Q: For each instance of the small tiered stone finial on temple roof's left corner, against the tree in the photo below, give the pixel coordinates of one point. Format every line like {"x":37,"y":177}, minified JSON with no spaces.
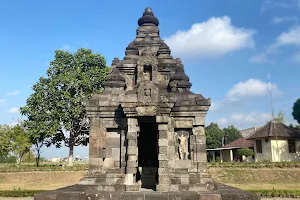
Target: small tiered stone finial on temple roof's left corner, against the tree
{"x":114,"y":79}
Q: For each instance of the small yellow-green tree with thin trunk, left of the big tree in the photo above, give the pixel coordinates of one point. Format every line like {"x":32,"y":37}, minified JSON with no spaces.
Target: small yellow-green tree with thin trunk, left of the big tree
{"x":19,"y":142}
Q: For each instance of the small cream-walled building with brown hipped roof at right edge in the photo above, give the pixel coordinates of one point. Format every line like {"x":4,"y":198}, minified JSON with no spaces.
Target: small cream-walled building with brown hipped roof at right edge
{"x":276,"y":142}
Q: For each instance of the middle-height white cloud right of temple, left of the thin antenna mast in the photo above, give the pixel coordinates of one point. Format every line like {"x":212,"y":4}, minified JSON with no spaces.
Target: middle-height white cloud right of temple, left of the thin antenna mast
{"x":251,"y":87}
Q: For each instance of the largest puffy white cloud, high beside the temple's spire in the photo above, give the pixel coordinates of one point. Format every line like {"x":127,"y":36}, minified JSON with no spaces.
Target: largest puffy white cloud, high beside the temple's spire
{"x":214,"y":37}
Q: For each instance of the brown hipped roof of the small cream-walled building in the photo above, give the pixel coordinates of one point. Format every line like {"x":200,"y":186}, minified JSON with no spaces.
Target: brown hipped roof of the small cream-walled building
{"x":273,"y":129}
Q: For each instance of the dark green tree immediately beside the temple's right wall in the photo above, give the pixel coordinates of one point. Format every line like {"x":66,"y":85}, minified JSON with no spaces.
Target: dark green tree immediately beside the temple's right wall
{"x":214,"y":136}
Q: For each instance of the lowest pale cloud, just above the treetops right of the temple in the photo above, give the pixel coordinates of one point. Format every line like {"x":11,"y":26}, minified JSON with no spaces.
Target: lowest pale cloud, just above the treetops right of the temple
{"x":245,"y":119}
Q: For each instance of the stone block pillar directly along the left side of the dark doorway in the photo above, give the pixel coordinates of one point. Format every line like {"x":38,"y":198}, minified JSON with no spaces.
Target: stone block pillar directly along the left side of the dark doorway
{"x":132,"y":155}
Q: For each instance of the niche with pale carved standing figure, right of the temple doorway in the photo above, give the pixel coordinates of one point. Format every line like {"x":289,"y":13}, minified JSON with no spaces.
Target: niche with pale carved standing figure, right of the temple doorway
{"x":183,"y":144}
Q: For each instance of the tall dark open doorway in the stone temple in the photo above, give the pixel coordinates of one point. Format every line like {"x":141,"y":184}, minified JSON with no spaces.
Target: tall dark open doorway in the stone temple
{"x":148,"y":153}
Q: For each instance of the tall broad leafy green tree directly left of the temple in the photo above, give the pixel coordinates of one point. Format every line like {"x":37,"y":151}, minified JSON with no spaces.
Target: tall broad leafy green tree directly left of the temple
{"x":71,"y":78}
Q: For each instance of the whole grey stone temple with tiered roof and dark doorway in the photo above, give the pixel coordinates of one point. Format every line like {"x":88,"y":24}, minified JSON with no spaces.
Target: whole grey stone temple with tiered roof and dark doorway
{"x":147,"y":137}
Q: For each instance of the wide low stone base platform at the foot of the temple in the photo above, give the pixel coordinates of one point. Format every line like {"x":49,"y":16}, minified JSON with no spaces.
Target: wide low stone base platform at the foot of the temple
{"x":75,"y":192}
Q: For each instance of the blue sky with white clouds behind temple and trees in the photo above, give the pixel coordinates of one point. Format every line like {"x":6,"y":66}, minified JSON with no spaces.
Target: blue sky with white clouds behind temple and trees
{"x":228,"y":47}
